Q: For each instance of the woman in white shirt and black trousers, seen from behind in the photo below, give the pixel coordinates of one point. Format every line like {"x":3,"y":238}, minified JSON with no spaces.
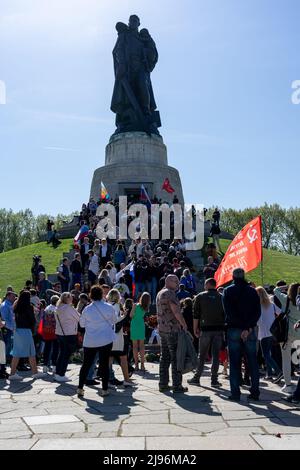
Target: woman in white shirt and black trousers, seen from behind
{"x":98,"y":319}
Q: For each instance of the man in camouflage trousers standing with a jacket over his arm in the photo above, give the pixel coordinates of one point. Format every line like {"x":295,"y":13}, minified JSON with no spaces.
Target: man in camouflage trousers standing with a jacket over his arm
{"x":170,"y":323}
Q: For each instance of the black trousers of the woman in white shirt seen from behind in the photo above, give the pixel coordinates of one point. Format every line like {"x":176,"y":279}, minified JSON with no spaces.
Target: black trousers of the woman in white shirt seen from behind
{"x":88,"y":359}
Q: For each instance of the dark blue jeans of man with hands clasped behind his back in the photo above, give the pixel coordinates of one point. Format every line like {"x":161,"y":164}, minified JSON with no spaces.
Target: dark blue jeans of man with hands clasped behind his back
{"x":236,"y":346}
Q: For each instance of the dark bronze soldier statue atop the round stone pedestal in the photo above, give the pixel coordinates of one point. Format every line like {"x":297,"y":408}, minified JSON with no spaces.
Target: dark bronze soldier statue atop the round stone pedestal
{"x":135,"y":56}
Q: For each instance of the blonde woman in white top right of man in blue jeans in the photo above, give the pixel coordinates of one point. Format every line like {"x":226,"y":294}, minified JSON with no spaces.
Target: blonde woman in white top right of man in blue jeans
{"x":269,"y":311}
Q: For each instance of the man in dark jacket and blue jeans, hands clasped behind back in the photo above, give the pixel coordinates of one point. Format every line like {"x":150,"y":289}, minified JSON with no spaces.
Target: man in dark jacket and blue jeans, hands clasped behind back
{"x":242,"y":312}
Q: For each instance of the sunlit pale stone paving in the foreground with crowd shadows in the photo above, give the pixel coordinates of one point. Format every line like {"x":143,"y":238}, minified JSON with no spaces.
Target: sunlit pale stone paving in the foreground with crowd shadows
{"x":45,"y":415}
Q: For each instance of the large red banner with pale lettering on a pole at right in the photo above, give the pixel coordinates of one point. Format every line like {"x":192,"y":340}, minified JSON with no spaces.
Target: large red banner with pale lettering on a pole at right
{"x":245,"y":252}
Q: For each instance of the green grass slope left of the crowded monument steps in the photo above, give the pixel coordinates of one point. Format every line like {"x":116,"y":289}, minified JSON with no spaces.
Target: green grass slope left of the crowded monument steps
{"x":15,"y":265}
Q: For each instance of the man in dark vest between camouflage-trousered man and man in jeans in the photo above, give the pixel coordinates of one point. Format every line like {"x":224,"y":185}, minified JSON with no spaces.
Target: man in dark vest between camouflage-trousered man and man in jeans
{"x":209,"y":325}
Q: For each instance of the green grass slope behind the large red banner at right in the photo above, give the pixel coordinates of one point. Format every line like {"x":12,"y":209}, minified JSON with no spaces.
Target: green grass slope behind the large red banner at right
{"x":276,"y":266}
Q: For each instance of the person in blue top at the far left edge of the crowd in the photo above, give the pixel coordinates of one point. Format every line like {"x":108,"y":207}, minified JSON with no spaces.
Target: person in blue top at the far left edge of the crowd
{"x":7,"y":316}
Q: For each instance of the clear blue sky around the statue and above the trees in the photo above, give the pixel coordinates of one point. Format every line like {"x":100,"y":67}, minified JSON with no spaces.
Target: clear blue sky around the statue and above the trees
{"x":222,"y":85}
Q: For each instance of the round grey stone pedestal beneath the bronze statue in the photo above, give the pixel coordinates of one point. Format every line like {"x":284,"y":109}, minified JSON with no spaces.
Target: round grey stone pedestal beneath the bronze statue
{"x":133,"y":159}
